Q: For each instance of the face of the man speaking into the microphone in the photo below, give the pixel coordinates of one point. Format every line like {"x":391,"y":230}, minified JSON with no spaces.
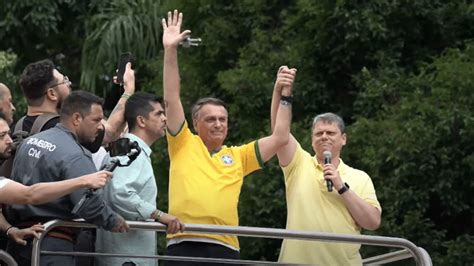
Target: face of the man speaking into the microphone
{"x":327,"y":137}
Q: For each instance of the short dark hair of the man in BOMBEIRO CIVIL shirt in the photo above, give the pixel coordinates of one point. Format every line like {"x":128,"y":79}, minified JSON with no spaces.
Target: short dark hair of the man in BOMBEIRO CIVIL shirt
{"x":79,"y":101}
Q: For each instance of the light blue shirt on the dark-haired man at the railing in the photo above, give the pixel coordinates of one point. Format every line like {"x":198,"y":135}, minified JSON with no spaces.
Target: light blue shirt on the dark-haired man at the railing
{"x":131,"y":193}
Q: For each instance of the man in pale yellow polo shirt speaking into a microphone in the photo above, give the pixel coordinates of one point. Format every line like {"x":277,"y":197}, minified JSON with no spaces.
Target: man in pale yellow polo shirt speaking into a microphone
{"x":311,"y":206}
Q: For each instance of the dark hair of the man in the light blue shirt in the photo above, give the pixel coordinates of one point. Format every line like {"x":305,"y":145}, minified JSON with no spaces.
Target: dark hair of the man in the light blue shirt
{"x":140,"y":104}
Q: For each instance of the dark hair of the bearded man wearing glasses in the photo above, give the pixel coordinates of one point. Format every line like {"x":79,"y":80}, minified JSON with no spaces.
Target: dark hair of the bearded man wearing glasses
{"x":35,"y":80}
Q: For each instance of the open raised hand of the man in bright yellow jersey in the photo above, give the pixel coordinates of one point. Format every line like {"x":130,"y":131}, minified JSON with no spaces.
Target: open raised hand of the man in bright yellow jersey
{"x":172,"y":34}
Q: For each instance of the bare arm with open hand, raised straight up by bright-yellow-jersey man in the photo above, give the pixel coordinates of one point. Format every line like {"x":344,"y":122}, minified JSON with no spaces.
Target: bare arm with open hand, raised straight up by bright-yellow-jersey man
{"x":171,"y":81}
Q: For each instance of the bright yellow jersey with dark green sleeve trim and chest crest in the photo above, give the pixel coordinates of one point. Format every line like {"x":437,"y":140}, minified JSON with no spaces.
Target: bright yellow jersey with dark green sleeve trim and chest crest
{"x":204,"y":188}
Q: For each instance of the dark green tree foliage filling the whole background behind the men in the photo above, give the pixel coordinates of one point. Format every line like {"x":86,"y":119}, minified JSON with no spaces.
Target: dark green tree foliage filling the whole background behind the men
{"x":399,"y":72}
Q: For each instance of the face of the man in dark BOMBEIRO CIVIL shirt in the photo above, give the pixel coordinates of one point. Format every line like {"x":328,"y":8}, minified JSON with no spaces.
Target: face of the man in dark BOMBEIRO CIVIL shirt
{"x":90,"y":125}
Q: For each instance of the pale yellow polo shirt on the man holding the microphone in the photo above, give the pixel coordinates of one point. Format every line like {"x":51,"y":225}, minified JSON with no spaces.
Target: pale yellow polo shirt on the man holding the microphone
{"x":311,"y":207}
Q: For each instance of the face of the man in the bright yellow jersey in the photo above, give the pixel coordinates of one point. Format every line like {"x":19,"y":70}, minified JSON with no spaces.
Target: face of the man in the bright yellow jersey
{"x":211,"y":124}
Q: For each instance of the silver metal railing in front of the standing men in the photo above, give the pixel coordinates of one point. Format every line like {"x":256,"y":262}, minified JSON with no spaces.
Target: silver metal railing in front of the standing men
{"x":410,"y":250}
